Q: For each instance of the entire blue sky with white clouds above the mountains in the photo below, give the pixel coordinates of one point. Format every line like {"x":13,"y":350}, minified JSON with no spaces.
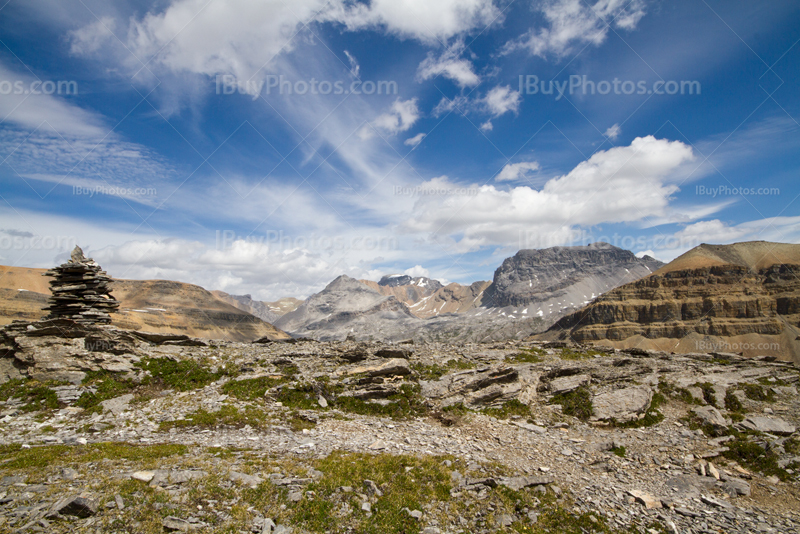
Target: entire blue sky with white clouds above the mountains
{"x":268,"y":147}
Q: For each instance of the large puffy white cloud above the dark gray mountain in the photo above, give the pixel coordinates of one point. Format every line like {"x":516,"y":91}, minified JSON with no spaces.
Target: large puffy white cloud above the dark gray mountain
{"x":620,"y":185}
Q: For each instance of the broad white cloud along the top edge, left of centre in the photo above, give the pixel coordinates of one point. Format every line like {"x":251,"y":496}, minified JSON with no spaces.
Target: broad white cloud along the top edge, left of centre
{"x":241,"y":37}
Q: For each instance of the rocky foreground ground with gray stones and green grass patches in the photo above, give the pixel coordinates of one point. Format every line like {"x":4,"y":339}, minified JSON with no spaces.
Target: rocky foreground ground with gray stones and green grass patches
{"x":111,"y":431}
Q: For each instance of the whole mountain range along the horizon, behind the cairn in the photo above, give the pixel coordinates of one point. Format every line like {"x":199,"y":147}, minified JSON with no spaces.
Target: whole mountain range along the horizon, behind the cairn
{"x":742,"y":298}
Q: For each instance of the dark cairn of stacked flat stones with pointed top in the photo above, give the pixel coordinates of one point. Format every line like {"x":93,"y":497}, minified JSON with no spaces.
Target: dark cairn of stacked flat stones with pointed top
{"x":80,"y":291}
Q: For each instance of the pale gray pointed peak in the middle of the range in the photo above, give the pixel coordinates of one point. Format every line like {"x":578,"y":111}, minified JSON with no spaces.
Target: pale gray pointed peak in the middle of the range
{"x":346,"y":305}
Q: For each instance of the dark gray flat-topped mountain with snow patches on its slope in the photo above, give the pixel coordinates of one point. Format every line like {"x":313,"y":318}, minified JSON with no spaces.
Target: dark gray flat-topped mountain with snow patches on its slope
{"x":566,"y":273}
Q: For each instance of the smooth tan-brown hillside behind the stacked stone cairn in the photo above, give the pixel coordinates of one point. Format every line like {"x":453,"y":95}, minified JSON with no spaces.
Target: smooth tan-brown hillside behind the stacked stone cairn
{"x":154,"y":305}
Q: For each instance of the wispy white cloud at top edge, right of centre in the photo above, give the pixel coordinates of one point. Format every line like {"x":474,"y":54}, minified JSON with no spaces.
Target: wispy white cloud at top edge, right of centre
{"x":574,"y":23}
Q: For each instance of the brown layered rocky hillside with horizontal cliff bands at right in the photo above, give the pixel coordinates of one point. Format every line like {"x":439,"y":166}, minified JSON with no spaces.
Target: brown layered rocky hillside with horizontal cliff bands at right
{"x":742,"y":298}
